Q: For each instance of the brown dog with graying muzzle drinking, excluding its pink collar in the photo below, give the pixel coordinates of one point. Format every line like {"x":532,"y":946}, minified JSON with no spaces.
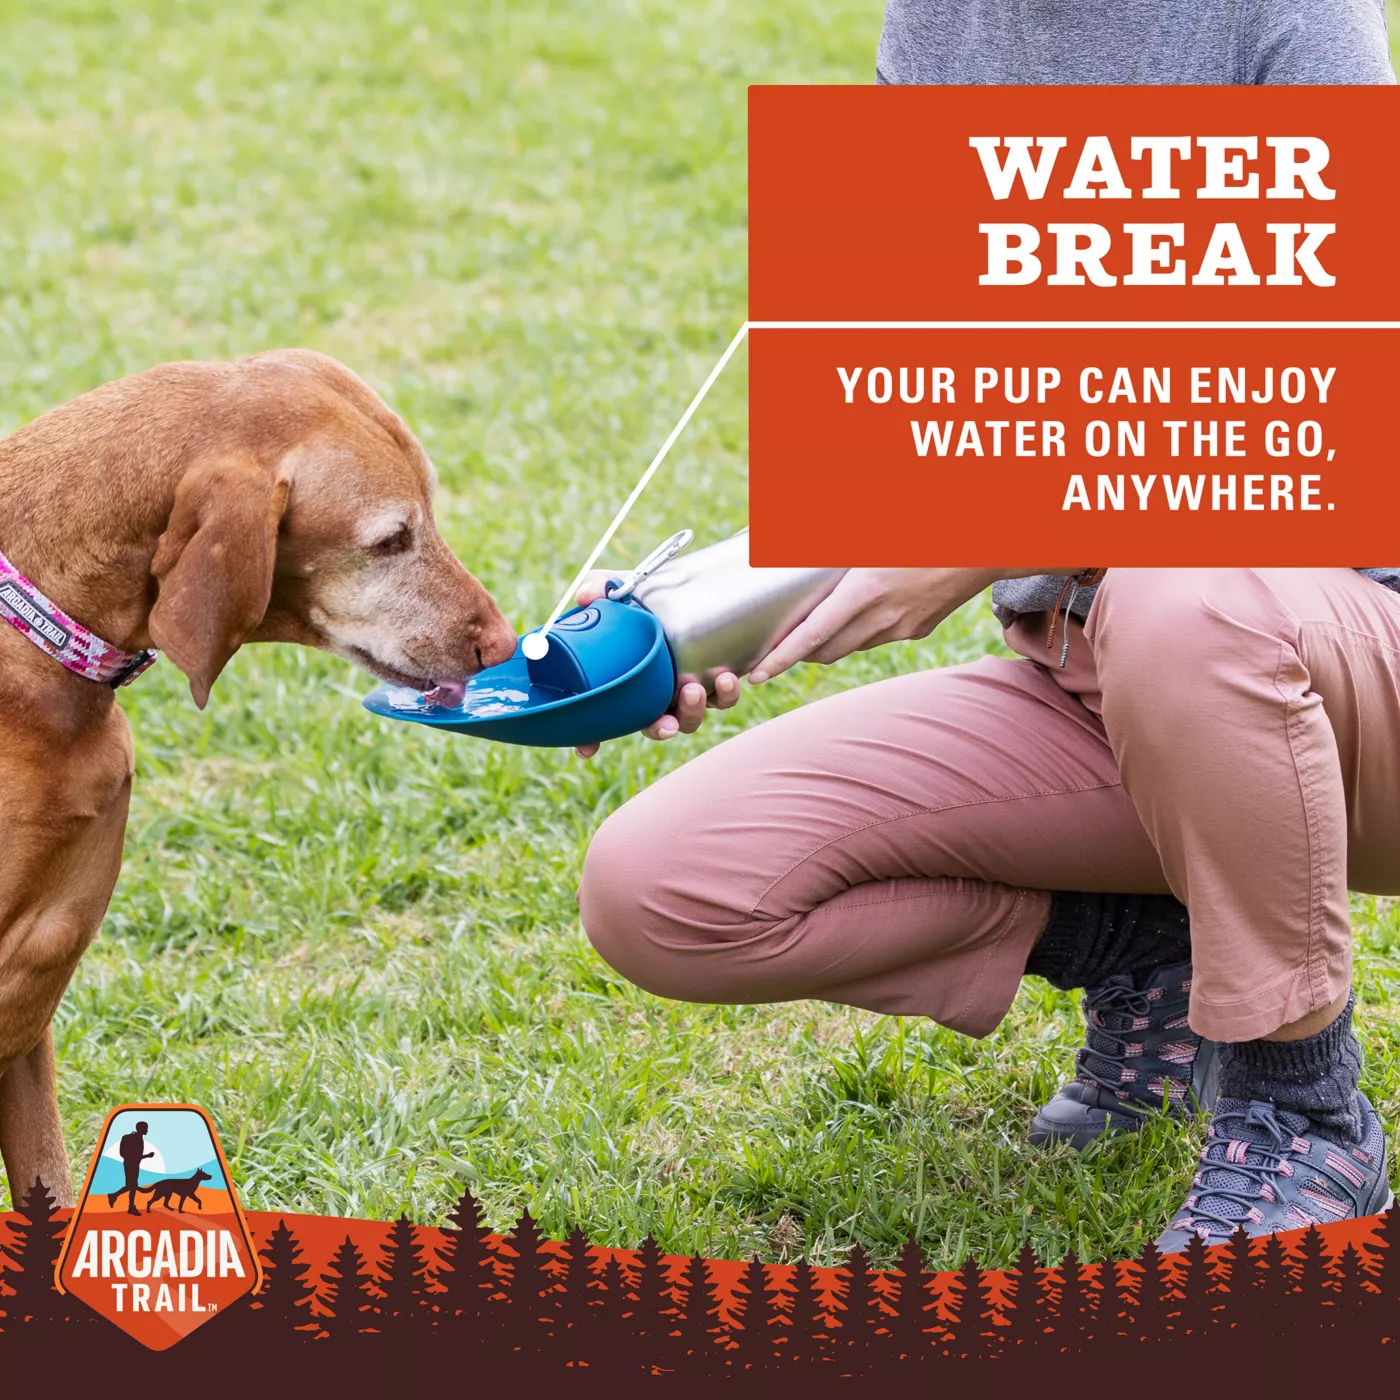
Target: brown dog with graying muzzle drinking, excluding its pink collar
{"x":190,"y":509}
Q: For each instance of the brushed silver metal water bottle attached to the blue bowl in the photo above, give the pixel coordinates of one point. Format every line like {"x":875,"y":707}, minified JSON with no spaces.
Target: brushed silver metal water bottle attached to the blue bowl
{"x":722,"y":614}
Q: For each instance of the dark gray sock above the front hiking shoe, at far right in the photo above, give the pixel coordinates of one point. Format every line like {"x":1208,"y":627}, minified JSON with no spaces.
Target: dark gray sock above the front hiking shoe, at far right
{"x":1317,"y":1077}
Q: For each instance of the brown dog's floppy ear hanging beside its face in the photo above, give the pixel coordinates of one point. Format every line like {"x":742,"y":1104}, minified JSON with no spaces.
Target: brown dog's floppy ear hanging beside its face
{"x":213,"y":565}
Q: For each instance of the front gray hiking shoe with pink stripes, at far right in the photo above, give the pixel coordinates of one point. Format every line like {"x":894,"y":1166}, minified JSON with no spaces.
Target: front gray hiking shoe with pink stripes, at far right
{"x":1266,"y":1170}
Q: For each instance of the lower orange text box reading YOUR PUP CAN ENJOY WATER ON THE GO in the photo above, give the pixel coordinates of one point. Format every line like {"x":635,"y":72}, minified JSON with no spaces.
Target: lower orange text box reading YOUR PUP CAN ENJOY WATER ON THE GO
{"x":1186,"y":447}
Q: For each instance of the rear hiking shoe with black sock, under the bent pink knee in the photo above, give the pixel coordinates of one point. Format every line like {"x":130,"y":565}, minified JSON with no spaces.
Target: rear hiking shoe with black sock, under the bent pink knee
{"x":1139,"y":1058}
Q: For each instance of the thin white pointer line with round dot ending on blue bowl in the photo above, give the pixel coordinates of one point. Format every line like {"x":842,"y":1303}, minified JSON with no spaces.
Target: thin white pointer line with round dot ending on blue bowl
{"x":541,"y":642}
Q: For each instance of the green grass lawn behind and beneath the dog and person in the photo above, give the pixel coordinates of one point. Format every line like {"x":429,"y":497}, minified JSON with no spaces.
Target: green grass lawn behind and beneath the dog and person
{"x":356,"y":943}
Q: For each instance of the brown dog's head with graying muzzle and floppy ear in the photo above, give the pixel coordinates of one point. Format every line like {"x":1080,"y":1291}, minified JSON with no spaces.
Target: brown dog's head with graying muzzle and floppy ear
{"x":306,"y":516}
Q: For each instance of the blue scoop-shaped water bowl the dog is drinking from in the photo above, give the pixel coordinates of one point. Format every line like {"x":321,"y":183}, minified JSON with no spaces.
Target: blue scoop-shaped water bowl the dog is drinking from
{"x":608,"y":673}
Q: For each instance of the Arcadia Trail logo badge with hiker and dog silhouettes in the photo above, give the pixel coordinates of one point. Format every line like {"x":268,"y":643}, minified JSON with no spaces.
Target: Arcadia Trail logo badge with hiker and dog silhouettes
{"x":159,"y":1244}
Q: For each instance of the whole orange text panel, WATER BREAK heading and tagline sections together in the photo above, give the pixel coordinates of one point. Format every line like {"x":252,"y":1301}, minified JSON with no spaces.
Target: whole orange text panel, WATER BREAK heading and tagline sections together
{"x":1006,"y":211}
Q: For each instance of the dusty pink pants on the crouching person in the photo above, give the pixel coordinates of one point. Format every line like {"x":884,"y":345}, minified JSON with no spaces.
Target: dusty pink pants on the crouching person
{"x":1233,"y":737}
